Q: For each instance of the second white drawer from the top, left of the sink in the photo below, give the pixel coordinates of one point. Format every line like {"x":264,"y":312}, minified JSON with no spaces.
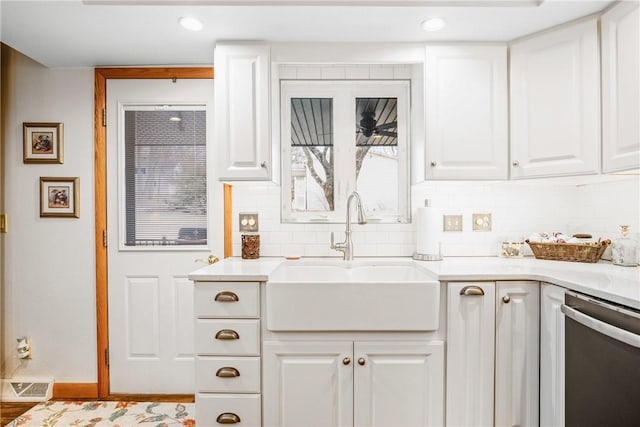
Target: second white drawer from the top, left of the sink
{"x":227,"y":337}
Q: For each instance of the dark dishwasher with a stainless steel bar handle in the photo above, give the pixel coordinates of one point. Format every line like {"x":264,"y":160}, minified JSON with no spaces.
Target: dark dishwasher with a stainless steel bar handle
{"x":602,"y":363}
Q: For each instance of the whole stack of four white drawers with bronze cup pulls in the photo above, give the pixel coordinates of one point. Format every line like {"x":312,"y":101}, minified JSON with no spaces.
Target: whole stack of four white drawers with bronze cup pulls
{"x":227,"y":344}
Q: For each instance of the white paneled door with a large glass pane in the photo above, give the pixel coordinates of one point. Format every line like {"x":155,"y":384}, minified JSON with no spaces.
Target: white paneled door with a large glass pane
{"x":159,"y":224}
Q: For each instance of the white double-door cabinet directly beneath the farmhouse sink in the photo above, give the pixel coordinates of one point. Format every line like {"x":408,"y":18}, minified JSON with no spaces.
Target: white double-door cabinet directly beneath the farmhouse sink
{"x":342,"y":383}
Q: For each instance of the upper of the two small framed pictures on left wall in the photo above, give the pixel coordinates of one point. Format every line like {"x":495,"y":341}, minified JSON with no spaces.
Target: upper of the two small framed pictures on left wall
{"x":42,"y":142}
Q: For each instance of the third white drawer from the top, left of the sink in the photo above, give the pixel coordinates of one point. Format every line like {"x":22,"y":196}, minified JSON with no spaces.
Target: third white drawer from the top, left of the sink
{"x":228,"y":374}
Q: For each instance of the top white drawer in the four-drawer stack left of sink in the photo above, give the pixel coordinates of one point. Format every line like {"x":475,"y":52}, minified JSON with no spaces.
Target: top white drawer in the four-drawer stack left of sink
{"x":227,"y":299}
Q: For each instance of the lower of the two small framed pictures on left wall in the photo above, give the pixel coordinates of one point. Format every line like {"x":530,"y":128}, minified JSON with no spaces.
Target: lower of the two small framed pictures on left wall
{"x":59,"y":197}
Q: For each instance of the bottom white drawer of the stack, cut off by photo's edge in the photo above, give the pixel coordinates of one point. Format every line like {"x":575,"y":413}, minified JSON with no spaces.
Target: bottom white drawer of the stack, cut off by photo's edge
{"x":244,"y":408}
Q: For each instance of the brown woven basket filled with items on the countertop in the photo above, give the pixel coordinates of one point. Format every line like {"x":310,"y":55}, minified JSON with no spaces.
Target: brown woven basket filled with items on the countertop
{"x":556,"y":247}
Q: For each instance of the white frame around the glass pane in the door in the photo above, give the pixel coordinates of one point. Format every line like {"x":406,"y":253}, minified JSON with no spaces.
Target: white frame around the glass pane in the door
{"x":121,"y":176}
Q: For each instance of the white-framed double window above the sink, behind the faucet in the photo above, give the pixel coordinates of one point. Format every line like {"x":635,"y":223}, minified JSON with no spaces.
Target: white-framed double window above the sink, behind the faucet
{"x":343,"y":136}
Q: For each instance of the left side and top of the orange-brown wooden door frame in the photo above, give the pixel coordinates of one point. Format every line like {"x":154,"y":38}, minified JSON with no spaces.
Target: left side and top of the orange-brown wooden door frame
{"x":101,"y":76}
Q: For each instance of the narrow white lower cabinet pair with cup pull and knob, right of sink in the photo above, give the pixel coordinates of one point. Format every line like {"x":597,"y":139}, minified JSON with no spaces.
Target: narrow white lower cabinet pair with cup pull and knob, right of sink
{"x":492,"y":354}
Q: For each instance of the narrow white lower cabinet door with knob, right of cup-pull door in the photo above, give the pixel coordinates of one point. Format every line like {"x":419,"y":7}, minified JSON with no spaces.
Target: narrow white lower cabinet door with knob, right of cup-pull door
{"x":517,"y":347}
